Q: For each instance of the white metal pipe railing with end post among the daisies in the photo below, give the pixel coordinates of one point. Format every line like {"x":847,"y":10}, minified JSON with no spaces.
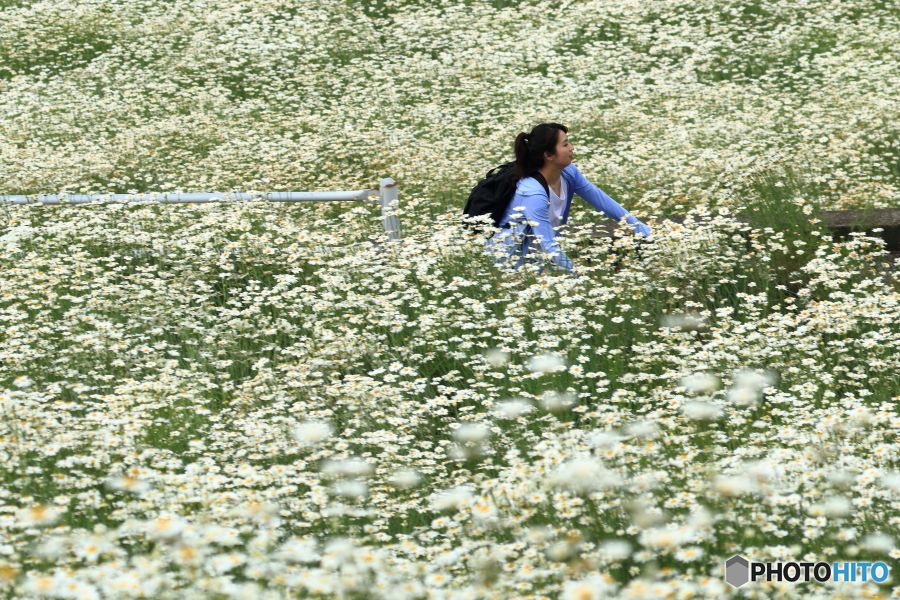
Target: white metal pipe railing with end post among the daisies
{"x":385,"y":195}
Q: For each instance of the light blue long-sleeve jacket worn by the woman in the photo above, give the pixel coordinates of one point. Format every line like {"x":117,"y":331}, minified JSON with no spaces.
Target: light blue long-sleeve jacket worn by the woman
{"x":528,"y":215}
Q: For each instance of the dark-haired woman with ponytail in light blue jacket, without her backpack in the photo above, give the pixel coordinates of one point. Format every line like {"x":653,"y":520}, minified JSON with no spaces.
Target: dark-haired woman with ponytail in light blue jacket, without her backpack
{"x":530,"y":222}
